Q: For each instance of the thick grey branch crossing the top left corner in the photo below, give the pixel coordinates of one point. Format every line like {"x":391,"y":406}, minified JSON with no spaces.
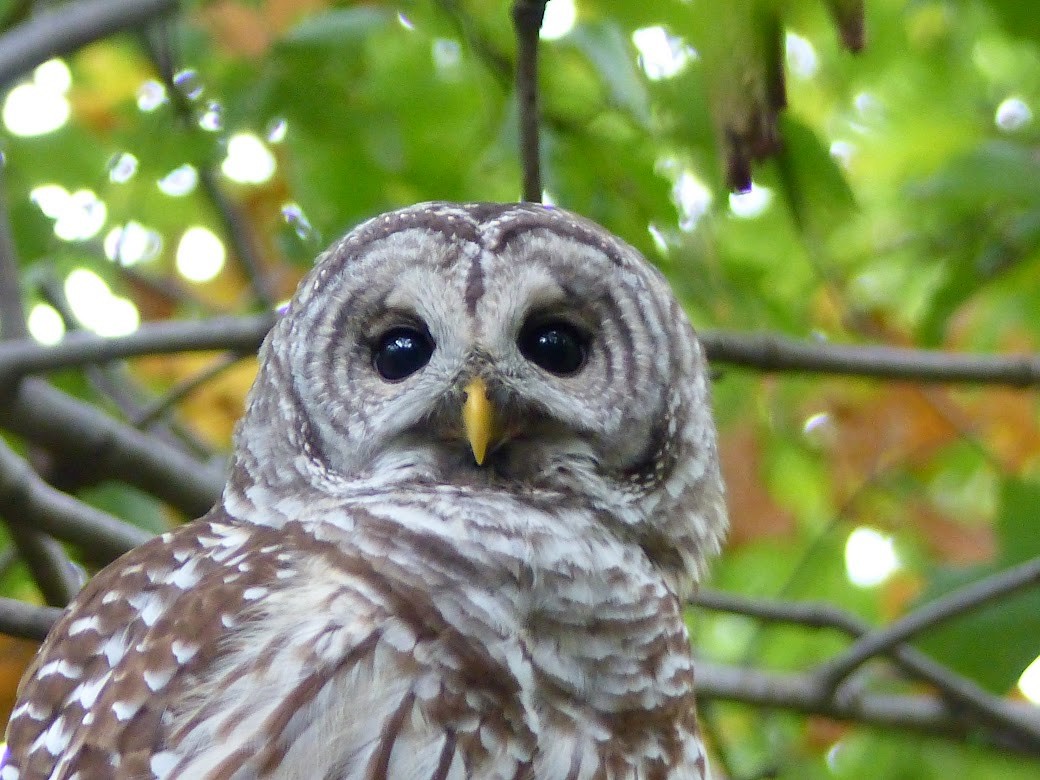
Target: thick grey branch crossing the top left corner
{"x":70,"y":27}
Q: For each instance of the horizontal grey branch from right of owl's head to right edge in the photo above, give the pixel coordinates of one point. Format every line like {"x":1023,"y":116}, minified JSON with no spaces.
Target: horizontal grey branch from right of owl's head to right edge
{"x":778,"y":354}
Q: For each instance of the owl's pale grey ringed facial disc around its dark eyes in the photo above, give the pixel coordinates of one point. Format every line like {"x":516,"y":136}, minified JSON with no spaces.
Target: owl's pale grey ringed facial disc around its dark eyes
{"x":422,"y":320}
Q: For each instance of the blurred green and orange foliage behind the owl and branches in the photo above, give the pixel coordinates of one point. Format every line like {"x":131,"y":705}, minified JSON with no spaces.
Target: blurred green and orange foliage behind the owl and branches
{"x":904,"y":207}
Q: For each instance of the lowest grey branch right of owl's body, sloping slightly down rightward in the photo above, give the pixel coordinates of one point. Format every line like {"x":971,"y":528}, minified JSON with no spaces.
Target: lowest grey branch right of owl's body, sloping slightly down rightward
{"x":802,"y":693}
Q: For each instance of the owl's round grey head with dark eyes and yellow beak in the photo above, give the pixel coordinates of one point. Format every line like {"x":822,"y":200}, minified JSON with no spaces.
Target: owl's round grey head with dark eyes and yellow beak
{"x":489,"y":348}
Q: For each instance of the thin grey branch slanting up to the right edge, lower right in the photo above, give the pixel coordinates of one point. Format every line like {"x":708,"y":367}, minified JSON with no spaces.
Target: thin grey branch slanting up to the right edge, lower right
{"x":960,"y":602}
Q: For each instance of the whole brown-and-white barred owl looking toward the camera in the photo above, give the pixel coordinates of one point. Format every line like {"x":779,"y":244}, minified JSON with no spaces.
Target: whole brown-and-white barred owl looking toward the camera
{"x":476,"y":481}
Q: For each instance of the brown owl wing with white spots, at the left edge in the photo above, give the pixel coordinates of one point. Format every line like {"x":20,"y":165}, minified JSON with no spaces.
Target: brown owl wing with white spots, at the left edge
{"x":96,"y":698}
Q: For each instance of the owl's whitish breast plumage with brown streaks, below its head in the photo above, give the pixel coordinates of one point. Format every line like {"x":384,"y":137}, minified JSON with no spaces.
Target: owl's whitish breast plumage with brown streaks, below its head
{"x":555,"y":663}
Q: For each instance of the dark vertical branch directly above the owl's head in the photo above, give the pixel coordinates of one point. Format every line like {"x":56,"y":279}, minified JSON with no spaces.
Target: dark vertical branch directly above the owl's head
{"x":528,"y":17}
